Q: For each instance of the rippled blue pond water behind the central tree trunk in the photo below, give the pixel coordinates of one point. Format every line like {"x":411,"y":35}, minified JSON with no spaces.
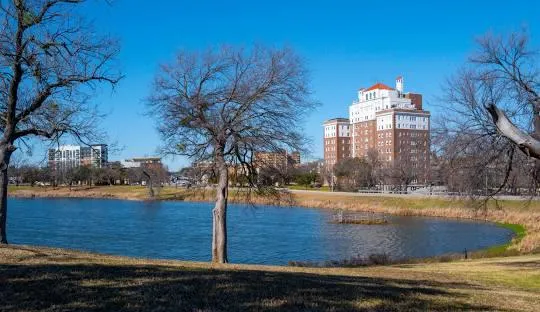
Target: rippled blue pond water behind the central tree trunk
{"x":264,"y":235}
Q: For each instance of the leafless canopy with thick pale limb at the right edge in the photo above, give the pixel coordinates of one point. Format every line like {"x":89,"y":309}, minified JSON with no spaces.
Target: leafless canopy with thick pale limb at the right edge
{"x":491,"y":108}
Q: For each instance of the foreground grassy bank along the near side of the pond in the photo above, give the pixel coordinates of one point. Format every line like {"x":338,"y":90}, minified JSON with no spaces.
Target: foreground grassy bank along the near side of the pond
{"x":43,"y":279}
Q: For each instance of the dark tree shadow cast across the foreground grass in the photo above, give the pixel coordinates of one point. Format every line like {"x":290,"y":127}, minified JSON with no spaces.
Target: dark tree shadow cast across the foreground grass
{"x":81,"y":287}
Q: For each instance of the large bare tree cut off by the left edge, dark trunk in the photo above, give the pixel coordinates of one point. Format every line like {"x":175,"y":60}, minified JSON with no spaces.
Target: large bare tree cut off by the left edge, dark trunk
{"x":50,"y":61}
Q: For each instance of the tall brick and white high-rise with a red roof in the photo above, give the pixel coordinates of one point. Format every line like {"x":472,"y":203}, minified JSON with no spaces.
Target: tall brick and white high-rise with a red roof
{"x":391,"y":122}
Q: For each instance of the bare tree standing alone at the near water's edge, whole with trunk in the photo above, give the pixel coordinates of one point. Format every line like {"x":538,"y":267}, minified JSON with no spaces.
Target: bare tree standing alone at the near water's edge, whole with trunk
{"x":223,"y":106}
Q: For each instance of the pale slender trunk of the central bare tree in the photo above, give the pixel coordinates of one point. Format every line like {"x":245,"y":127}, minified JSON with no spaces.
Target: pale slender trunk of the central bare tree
{"x":219,"y":226}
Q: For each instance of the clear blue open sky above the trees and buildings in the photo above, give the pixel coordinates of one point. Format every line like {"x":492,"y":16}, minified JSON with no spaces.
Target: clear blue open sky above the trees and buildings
{"x":346,"y":45}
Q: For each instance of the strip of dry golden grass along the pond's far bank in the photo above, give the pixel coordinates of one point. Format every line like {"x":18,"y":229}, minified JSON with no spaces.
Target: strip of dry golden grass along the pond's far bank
{"x":519,"y":213}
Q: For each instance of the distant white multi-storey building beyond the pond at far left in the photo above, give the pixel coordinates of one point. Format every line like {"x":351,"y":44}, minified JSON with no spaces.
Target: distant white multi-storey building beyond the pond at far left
{"x":72,"y":156}
